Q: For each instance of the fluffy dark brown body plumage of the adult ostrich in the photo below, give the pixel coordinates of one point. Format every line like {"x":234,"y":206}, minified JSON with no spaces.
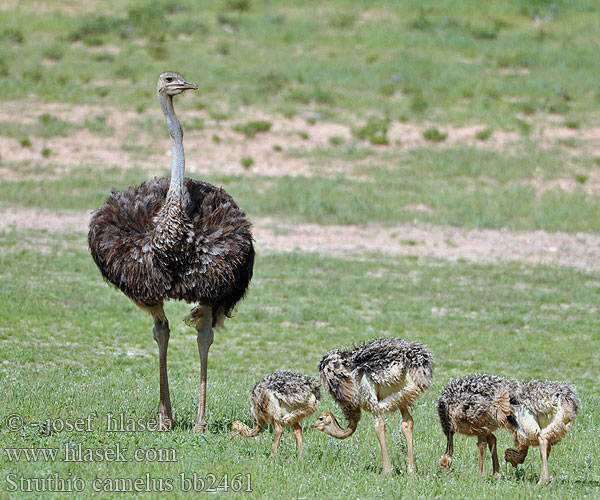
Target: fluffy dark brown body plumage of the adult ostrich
{"x":199,"y":250}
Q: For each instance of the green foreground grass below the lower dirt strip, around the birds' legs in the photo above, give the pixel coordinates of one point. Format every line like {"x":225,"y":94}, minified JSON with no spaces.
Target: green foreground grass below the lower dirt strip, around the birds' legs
{"x":82,"y":347}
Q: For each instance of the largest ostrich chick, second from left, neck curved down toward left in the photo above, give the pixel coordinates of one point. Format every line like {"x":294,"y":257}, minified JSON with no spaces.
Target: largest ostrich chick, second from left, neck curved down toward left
{"x":379,"y":376}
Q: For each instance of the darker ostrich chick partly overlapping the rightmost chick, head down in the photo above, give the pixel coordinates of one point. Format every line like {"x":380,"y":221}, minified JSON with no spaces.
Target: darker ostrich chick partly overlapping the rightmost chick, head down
{"x":476,"y":406}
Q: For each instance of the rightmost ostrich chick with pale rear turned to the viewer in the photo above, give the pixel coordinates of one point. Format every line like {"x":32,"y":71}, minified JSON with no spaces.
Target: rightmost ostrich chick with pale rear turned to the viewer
{"x":545,"y":414}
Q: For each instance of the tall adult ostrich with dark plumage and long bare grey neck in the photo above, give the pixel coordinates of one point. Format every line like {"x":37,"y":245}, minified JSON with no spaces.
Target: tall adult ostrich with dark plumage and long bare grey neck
{"x":175,"y":238}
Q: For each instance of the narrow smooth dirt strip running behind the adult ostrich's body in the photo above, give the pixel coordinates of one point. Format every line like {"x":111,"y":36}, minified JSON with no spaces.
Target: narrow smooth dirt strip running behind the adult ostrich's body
{"x":581,"y":250}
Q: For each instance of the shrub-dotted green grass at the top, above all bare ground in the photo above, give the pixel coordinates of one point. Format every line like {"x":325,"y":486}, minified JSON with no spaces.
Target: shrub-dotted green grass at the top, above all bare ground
{"x":404,"y":59}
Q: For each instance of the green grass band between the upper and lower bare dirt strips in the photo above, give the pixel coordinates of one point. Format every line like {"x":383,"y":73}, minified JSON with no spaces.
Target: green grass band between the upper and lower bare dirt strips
{"x":462,"y":186}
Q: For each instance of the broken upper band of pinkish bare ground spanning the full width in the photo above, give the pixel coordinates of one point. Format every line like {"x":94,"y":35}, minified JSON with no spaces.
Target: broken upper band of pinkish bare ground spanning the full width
{"x":130,"y":143}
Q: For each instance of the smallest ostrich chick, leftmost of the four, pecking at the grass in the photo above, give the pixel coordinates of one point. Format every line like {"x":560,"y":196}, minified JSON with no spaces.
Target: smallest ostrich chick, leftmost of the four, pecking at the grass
{"x":281,"y":398}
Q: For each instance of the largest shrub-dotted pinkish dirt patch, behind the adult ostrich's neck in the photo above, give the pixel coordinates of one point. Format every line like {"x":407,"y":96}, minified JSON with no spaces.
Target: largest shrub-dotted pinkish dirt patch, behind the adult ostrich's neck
{"x":151,"y":151}
